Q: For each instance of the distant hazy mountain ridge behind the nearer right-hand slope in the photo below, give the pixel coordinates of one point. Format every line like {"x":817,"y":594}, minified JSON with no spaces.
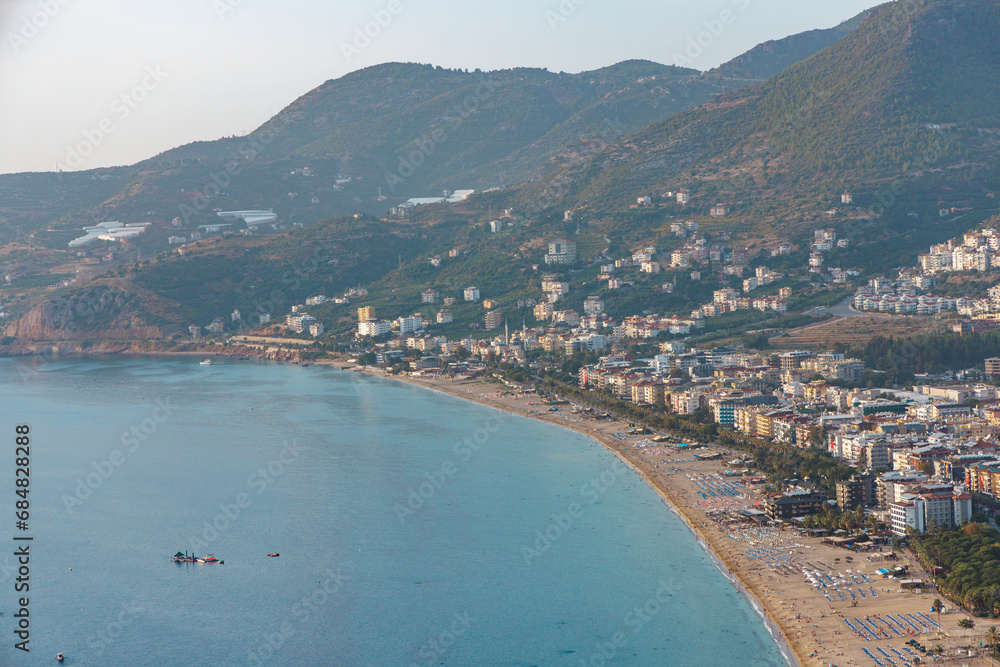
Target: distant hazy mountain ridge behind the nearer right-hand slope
{"x":467,"y":129}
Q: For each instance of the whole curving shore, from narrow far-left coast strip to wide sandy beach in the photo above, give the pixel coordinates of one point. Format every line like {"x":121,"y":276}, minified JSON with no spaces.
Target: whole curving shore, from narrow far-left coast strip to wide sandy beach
{"x":808,"y":631}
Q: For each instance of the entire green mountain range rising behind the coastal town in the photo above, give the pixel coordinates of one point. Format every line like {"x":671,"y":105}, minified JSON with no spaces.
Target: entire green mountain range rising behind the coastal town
{"x":899,"y":106}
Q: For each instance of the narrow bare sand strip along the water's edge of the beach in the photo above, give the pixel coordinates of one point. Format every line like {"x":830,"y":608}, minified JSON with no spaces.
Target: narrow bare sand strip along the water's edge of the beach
{"x":773,"y":627}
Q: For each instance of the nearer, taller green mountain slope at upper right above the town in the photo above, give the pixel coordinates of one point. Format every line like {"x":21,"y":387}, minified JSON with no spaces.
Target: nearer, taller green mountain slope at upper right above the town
{"x":908,"y":101}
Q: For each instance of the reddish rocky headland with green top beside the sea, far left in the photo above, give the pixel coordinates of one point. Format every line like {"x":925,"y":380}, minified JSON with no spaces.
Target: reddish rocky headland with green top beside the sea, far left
{"x":100,"y":312}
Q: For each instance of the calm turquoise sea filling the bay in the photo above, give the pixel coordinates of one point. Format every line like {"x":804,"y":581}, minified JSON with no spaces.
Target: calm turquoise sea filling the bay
{"x":413,"y":528}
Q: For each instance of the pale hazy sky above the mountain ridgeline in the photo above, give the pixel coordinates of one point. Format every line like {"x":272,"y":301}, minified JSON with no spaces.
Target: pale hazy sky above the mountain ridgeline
{"x":127,"y":79}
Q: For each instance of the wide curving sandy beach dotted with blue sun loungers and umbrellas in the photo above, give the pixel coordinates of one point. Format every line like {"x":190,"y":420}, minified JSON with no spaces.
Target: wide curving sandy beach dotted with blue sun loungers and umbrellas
{"x":825,"y":604}
